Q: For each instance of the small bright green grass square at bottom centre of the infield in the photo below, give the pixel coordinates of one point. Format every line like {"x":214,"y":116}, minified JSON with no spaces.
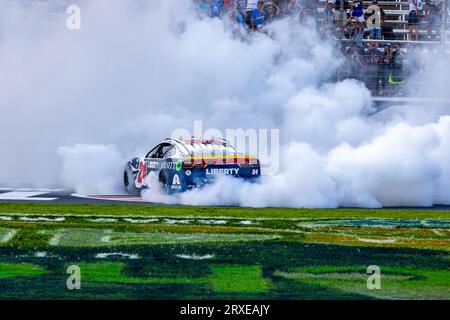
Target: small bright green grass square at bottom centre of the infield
{"x":238,"y":279}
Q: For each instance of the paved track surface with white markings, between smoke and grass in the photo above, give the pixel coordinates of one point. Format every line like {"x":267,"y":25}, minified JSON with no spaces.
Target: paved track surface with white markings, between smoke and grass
{"x":63,"y":196}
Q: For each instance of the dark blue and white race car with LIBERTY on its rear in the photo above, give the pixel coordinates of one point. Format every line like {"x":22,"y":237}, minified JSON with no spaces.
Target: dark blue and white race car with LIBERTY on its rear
{"x":180,"y":165}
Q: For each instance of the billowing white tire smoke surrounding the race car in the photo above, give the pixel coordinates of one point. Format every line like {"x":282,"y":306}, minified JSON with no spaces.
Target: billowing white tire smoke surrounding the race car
{"x":76,"y":104}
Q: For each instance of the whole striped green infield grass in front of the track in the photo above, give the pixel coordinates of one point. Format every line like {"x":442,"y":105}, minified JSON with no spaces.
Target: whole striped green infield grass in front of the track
{"x":278,"y":254}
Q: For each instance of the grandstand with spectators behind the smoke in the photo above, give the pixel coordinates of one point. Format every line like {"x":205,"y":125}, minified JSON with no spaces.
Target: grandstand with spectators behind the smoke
{"x":384,"y":65}
